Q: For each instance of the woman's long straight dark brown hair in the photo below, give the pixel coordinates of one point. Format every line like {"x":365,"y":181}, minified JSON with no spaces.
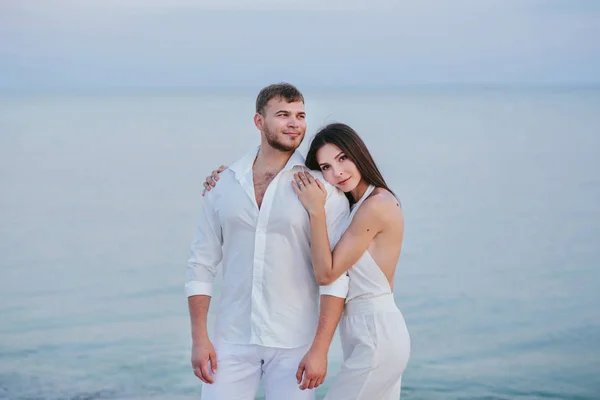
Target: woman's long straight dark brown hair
{"x":355,"y":149}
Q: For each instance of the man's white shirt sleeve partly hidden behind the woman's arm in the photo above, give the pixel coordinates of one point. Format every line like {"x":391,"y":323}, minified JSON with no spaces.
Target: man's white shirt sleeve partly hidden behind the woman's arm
{"x":337,"y":211}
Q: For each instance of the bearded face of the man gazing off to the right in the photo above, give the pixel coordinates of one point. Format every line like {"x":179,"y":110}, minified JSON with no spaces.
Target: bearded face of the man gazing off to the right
{"x":283,"y":124}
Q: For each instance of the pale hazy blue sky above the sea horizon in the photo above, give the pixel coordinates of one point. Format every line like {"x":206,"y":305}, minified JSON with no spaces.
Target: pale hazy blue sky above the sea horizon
{"x":235,"y":43}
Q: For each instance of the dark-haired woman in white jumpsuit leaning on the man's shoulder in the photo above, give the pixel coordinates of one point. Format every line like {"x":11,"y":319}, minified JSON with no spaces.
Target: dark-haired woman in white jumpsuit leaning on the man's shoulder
{"x":375,"y":340}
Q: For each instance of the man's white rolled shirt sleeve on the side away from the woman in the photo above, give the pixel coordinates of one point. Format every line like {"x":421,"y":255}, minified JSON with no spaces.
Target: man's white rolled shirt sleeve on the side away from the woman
{"x":206,"y":251}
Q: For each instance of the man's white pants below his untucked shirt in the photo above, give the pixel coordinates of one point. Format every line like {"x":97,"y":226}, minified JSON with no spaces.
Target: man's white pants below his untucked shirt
{"x":241,"y":367}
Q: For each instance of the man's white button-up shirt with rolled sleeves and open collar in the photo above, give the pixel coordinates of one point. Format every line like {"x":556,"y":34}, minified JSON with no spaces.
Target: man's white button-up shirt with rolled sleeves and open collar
{"x":269,"y":295}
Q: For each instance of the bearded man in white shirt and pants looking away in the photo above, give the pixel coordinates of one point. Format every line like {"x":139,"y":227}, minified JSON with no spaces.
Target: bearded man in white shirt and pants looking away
{"x":254,"y":225}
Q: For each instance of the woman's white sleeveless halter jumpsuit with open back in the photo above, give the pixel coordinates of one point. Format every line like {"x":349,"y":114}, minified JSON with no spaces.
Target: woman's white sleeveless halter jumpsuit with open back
{"x":375,"y":340}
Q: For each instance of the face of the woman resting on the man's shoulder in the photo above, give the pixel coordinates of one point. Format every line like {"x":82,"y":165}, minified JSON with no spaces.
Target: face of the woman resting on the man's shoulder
{"x":337,"y":168}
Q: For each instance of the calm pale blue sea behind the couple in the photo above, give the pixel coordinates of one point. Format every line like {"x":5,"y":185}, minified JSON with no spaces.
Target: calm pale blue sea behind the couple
{"x":499,"y":277}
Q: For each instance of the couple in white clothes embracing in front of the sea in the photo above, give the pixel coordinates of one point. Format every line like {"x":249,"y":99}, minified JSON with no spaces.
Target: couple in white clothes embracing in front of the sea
{"x":298,"y":253}
